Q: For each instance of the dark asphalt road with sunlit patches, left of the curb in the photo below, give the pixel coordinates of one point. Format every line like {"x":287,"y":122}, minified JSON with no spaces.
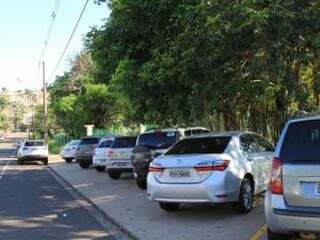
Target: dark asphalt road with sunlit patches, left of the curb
{"x":34,"y":206}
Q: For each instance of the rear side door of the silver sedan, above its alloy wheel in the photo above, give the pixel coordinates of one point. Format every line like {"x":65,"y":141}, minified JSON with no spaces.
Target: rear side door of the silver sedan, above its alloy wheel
{"x":250,"y":151}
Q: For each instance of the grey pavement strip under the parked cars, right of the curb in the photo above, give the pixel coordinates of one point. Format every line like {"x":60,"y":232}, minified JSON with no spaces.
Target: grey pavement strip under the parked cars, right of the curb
{"x":129,"y":207}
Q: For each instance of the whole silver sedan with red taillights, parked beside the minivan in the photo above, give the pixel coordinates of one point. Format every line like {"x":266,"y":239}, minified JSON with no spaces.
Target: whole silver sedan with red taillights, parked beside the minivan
{"x":214,"y":168}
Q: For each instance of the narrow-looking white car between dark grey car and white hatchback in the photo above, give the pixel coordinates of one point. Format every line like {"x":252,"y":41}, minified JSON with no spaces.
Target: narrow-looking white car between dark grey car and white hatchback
{"x":101,"y":152}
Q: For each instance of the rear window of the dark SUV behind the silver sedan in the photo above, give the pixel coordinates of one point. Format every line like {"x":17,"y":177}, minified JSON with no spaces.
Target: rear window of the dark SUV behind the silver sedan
{"x":158,"y":140}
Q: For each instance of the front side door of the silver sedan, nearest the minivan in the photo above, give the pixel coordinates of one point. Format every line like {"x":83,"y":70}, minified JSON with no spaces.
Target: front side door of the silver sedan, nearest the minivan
{"x":265,"y":151}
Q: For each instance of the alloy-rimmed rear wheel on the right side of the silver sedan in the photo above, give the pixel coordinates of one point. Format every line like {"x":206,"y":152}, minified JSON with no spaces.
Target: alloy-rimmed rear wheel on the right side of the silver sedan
{"x":245,"y":203}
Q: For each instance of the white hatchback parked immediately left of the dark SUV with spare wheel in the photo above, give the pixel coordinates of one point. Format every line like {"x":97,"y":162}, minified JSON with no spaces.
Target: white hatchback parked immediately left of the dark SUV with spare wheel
{"x":119,"y":156}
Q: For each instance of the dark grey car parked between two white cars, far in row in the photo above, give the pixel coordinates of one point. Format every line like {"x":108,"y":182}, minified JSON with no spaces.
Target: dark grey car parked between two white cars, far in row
{"x":85,"y":151}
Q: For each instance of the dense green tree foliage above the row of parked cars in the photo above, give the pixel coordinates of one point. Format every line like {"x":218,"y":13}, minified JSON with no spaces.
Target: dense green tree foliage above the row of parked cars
{"x":191,"y":62}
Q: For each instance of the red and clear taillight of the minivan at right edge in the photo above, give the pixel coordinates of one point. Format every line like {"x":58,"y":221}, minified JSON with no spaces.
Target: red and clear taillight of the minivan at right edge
{"x":276,"y":183}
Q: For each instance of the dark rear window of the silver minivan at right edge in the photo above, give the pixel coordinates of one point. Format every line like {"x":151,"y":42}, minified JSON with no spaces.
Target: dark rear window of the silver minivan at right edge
{"x":302,"y":142}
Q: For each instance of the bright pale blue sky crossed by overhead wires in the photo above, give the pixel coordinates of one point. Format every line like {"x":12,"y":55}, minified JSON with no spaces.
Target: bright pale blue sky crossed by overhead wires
{"x":23,"y":27}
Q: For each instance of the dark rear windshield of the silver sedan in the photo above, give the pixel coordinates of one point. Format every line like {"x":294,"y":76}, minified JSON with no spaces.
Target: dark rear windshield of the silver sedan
{"x":206,"y":145}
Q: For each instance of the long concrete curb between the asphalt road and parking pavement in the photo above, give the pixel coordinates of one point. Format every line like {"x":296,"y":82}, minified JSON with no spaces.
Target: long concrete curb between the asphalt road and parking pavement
{"x":117,"y":224}
